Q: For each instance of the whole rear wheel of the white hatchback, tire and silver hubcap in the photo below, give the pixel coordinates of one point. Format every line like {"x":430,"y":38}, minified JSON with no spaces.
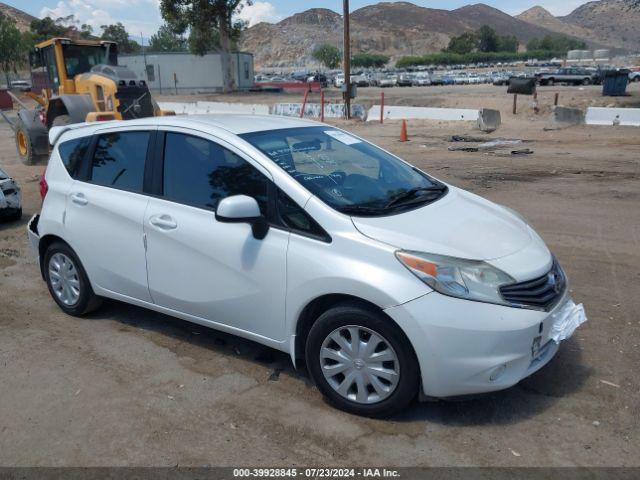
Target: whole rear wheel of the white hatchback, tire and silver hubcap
{"x":67,"y":281}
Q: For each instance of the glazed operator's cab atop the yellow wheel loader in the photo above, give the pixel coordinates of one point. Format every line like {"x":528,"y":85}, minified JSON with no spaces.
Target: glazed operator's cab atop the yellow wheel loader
{"x":56,"y":62}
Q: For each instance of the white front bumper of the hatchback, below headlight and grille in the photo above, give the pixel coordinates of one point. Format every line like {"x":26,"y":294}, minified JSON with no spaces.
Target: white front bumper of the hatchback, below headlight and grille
{"x":468,"y":347}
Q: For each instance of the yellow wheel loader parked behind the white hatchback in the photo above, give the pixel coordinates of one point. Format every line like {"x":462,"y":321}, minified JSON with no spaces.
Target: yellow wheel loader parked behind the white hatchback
{"x":76,"y":81}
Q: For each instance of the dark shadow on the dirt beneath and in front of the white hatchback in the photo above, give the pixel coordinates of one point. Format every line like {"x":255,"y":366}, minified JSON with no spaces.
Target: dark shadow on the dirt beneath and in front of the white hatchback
{"x":563,"y":376}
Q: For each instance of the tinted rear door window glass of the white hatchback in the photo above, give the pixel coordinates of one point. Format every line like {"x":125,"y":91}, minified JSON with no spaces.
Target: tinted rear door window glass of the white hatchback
{"x":119,"y":160}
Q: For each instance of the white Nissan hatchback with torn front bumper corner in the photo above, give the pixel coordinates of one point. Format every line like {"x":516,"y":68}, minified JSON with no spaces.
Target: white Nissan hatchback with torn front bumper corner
{"x":310,"y":240}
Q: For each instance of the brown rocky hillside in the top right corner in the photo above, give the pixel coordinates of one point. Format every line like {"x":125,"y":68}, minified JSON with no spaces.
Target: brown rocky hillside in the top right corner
{"x":614,"y":21}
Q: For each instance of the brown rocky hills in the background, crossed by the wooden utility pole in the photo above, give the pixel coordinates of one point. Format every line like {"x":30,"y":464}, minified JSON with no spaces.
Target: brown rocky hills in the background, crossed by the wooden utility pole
{"x":394,"y":29}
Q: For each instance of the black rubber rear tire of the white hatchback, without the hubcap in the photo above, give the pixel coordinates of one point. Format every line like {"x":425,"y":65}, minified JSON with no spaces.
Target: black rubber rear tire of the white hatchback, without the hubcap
{"x":87,"y":301}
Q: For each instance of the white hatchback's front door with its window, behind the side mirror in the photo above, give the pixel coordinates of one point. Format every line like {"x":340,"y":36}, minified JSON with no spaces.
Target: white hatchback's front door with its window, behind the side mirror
{"x":201,"y":267}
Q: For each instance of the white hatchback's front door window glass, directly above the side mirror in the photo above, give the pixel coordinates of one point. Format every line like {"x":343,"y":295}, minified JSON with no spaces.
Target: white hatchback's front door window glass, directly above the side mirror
{"x":200,"y":173}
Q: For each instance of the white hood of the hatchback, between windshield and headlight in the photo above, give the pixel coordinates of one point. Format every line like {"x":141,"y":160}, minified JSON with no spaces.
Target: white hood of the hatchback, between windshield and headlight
{"x":460,"y":225}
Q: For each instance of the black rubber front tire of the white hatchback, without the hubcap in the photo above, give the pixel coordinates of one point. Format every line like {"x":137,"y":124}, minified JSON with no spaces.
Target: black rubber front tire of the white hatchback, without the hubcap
{"x":348,"y":314}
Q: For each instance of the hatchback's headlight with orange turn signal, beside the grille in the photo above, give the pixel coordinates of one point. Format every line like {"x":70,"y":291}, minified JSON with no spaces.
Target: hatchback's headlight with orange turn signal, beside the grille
{"x":456,"y":277}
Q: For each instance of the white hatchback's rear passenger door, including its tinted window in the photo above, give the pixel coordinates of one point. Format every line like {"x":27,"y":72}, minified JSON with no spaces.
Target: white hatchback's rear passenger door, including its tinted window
{"x":105,"y":211}
